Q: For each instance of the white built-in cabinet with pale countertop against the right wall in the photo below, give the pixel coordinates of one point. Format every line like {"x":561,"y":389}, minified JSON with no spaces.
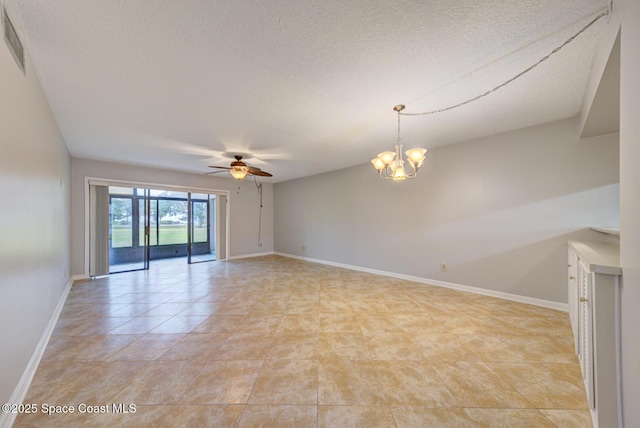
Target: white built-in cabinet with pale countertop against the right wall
{"x":593,"y":284}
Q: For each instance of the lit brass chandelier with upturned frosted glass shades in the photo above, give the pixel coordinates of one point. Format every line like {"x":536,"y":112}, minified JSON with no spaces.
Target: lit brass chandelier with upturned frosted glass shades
{"x":390,"y":165}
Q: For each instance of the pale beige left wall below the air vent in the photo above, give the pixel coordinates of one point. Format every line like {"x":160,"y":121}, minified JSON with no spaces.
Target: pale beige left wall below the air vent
{"x":34,"y":218}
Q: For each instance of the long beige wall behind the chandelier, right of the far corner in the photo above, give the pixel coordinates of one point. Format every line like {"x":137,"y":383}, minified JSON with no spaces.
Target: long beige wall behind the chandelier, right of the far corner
{"x":497,"y":210}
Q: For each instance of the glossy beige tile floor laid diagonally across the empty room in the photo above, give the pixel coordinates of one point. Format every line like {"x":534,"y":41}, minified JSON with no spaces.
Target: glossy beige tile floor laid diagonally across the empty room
{"x":273,"y":341}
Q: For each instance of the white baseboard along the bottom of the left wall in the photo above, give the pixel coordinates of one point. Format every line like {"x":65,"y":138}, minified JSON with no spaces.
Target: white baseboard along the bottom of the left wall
{"x":7,"y":419}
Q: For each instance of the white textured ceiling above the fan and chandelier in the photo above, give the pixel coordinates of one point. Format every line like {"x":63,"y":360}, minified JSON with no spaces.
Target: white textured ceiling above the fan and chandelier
{"x":306,"y":86}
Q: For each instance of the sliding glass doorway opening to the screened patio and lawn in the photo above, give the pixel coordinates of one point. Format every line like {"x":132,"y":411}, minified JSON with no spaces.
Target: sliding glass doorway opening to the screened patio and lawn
{"x":145,"y":224}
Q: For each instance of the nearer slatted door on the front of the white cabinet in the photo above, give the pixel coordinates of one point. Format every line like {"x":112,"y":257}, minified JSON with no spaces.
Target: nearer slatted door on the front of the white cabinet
{"x":585,"y":313}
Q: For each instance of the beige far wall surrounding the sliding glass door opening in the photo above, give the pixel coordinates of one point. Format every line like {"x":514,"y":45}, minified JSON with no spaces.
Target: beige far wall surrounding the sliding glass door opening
{"x":244,"y":204}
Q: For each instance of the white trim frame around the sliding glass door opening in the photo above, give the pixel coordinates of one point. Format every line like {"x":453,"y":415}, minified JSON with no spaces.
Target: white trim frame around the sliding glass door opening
{"x":154,"y":186}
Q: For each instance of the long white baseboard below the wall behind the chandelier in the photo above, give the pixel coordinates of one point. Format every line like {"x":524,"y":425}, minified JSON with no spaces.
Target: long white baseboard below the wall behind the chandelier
{"x":460,"y":287}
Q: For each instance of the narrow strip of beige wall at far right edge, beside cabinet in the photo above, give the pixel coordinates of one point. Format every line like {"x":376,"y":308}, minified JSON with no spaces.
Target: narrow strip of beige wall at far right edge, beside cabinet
{"x":630,"y":209}
